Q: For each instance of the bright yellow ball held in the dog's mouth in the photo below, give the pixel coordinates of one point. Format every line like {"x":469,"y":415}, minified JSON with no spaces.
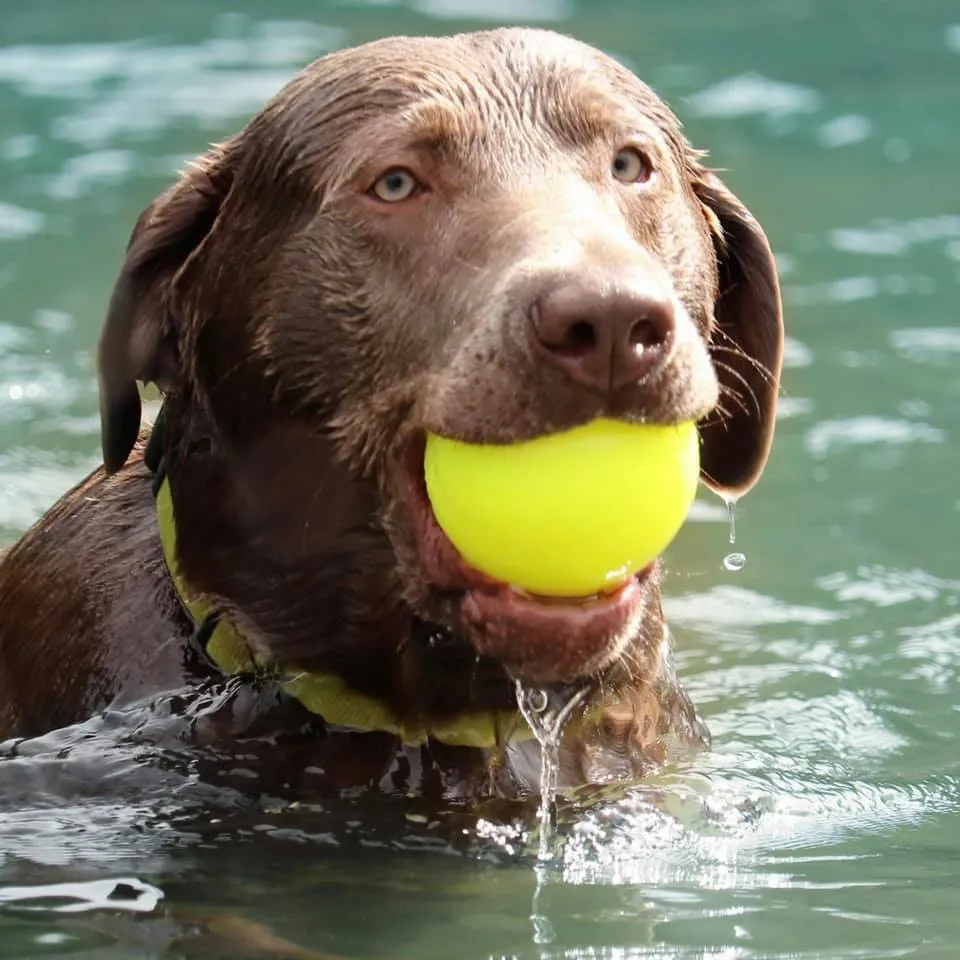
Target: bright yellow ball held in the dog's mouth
{"x":570,"y":514}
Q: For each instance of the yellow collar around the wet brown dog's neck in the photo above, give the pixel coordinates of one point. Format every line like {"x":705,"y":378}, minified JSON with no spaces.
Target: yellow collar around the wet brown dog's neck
{"x":327,"y":694}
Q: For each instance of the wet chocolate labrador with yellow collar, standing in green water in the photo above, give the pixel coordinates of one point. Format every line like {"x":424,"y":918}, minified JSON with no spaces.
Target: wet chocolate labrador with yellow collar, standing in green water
{"x":491,"y":236}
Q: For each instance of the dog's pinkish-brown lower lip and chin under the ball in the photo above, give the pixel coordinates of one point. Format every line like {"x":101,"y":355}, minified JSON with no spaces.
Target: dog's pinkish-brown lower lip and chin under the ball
{"x":537,"y":639}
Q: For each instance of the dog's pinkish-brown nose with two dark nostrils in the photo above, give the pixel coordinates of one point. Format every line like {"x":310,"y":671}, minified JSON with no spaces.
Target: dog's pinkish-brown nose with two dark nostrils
{"x":604,"y":336}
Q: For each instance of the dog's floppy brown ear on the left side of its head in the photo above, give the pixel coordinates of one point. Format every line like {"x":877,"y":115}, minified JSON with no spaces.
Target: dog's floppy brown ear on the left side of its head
{"x":139,"y":340}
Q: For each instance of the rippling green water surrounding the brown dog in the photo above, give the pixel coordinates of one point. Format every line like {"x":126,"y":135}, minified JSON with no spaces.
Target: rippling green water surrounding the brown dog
{"x":824,"y":821}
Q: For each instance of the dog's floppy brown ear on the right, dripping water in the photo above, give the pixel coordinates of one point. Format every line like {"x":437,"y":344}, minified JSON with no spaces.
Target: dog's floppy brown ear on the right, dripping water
{"x":746,"y":346}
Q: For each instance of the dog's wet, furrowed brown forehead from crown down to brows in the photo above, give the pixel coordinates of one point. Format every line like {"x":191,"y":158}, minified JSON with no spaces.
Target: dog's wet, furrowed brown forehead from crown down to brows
{"x":496,"y":97}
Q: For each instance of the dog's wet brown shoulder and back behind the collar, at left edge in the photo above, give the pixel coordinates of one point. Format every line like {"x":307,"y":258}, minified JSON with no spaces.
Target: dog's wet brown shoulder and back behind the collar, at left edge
{"x":87,"y":611}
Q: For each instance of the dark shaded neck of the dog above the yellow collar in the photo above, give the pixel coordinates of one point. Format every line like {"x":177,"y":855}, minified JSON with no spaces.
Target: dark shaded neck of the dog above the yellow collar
{"x":281,"y":537}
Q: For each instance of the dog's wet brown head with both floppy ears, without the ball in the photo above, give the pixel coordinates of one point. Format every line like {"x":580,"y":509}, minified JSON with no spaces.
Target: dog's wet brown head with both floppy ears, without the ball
{"x":491,"y":236}
